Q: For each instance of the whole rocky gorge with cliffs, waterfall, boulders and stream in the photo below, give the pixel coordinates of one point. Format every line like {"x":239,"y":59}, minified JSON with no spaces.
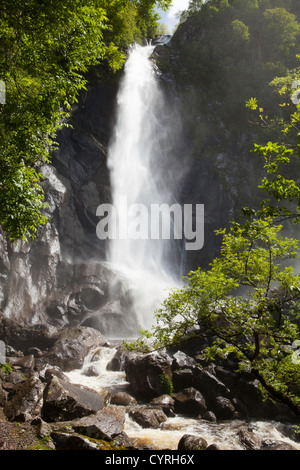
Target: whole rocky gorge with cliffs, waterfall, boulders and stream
{"x":70,"y":297}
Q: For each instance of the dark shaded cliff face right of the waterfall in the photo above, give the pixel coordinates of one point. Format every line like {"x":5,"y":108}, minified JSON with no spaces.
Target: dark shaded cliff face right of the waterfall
{"x":214,"y":156}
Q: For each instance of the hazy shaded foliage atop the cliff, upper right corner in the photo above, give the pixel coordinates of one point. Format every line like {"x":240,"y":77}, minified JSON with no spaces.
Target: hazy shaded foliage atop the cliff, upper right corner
{"x":255,"y":41}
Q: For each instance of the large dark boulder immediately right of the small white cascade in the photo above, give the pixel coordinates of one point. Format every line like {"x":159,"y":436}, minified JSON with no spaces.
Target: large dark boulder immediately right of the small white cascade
{"x":146,"y":374}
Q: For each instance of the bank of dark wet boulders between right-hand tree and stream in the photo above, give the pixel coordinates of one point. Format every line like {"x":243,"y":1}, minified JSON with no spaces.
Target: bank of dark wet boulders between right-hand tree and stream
{"x":210,"y":392}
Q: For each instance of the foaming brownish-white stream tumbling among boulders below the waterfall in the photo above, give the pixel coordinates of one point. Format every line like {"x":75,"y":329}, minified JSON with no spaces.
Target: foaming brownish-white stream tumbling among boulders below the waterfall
{"x":224,"y":434}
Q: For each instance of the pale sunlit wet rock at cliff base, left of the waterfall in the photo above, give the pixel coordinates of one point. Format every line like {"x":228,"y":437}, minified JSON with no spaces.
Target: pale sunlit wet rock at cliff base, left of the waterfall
{"x":39,"y":287}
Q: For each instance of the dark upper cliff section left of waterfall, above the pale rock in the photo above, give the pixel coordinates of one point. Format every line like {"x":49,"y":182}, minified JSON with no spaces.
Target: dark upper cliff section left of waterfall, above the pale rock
{"x":82,"y":161}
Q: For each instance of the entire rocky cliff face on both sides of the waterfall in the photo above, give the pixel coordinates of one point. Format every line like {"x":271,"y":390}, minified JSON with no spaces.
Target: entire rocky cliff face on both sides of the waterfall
{"x":63,"y":278}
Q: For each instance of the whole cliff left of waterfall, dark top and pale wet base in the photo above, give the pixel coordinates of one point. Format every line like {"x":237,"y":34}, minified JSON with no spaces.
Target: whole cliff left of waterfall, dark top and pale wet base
{"x":61,"y":279}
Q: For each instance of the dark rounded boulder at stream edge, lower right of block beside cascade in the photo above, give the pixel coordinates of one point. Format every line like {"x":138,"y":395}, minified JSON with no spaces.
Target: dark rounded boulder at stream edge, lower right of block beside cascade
{"x":190,"y":402}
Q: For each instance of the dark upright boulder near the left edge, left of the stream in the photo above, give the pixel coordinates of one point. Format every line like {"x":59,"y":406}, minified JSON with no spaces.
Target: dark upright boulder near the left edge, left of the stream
{"x":27,"y":400}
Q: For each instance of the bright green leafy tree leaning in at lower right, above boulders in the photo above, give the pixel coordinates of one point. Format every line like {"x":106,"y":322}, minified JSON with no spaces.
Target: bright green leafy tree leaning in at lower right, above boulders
{"x":246,"y":304}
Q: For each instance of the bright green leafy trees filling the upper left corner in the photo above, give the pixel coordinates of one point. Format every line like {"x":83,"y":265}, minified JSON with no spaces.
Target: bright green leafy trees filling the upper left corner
{"x":46,"y":50}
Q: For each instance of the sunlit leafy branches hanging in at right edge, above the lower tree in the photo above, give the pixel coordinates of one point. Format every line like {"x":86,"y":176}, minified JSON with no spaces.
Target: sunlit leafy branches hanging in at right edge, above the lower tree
{"x":281,"y":154}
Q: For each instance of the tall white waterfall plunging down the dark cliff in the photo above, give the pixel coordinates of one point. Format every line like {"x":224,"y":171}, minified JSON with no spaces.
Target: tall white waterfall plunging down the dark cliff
{"x":135,"y":162}
